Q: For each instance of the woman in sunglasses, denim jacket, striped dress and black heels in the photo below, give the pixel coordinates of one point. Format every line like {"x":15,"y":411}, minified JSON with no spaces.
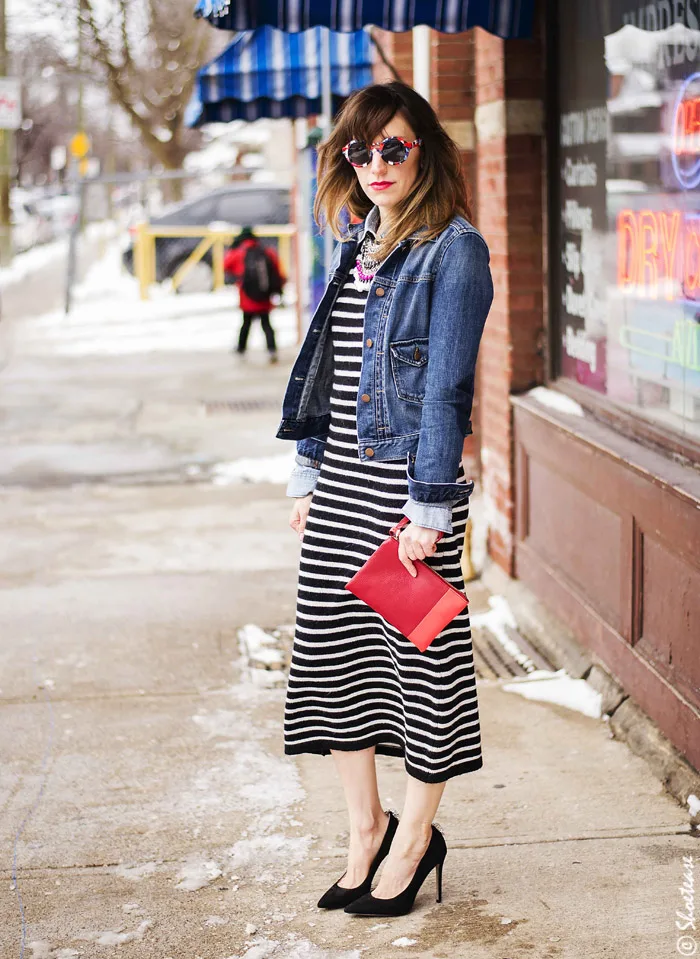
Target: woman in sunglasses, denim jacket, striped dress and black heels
{"x":379,"y":402}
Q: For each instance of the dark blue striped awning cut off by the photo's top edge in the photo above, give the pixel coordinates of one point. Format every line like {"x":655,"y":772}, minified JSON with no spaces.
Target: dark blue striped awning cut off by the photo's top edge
{"x":505,"y":18}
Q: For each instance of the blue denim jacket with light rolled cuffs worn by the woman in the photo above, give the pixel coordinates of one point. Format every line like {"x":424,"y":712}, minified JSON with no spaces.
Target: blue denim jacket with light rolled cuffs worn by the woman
{"x":423,"y":322}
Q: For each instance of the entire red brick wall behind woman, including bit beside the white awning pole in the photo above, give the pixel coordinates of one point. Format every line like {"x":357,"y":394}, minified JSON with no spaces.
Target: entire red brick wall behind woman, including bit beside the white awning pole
{"x":488,"y":93}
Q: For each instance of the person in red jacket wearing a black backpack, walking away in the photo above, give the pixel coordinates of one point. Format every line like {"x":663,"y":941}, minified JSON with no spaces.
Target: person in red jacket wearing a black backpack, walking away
{"x":258,"y":276}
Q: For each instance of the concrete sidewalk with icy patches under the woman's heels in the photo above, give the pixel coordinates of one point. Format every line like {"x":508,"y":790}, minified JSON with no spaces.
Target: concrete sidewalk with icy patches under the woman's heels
{"x":145,"y":794}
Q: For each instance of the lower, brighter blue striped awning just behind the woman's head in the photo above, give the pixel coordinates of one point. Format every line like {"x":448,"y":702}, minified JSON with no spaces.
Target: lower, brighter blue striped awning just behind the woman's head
{"x":270,"y":73}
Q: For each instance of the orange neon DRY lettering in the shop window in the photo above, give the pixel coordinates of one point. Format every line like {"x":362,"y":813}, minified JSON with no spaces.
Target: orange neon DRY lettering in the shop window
{"x":658,"y":252}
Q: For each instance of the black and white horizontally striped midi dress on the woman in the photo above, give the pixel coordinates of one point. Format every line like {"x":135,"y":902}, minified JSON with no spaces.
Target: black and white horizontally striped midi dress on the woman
{"x":355,"y":681}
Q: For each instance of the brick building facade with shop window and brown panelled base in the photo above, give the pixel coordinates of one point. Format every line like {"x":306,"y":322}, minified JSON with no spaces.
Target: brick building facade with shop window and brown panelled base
{"x":582,"y":147}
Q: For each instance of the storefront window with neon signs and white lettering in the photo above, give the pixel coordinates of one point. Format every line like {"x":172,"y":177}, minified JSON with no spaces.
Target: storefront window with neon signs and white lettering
{"x":629,"y":228}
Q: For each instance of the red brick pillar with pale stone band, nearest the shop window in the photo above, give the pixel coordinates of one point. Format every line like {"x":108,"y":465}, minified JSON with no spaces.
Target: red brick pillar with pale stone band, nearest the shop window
{"x":510,"y":188}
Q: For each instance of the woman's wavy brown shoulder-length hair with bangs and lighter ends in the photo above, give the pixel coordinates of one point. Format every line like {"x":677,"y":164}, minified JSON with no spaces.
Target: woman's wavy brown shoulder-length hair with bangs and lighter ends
{"x":440,"y":190}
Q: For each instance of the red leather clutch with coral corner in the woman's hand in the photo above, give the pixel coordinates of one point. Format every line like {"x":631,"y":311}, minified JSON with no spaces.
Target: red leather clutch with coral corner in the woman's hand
{"x":418,"y":606}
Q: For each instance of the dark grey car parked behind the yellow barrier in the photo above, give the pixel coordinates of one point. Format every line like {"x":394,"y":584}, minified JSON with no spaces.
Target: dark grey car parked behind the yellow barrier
{"x":241,"y":204}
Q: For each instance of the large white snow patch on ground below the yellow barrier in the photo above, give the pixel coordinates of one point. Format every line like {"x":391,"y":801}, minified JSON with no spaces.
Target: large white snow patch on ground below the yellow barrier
{"x":109,"y":318}
